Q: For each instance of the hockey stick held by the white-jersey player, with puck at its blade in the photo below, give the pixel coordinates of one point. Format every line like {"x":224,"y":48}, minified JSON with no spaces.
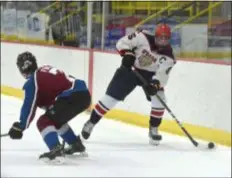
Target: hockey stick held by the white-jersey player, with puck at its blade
{"x":210,"y":145}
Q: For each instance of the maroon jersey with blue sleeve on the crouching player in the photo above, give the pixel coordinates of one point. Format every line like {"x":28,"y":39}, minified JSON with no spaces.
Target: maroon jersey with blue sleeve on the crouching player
{"x":41,"y":90}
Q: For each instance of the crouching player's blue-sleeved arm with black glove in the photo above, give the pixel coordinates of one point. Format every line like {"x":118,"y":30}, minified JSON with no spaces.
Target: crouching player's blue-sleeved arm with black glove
{"x":28,"y":109}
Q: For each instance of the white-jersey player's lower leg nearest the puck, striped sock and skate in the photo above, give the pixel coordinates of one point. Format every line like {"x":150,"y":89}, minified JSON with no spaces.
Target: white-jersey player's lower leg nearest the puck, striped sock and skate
{"x":156,"y":115}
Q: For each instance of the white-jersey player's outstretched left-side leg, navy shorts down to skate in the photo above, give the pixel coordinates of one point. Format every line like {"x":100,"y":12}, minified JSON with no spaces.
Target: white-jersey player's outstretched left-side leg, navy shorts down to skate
{"x":123,"y":82}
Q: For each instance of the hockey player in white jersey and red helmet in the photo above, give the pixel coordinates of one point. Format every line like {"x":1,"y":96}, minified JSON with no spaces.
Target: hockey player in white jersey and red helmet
{"x":152,"y":56}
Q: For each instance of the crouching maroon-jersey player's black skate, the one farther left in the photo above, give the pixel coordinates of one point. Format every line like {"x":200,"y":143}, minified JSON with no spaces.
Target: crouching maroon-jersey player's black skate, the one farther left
{"x":56,"y":155}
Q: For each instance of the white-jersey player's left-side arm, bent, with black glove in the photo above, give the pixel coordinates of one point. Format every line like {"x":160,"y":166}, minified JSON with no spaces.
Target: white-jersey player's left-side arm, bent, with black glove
{"x":126,"y":47}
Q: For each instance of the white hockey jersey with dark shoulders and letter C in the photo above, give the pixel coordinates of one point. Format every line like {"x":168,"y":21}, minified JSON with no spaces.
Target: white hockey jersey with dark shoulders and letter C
{"x":149,"y":57}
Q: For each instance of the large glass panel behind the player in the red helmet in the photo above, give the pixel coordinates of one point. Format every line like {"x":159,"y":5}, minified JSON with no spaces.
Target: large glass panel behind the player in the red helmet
{"x":200,"y":29}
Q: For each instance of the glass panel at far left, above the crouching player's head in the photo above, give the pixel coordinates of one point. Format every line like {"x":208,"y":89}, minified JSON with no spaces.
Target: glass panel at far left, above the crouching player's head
{"x":61,"y":23}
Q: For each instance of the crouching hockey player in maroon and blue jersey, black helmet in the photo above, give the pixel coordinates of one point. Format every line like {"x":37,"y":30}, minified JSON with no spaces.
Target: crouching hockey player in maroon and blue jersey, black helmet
{"x":61,"y":96}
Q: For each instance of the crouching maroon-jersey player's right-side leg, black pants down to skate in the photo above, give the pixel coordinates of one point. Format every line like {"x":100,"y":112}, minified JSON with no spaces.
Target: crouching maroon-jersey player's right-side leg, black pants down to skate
{"x":67,"y":108}
